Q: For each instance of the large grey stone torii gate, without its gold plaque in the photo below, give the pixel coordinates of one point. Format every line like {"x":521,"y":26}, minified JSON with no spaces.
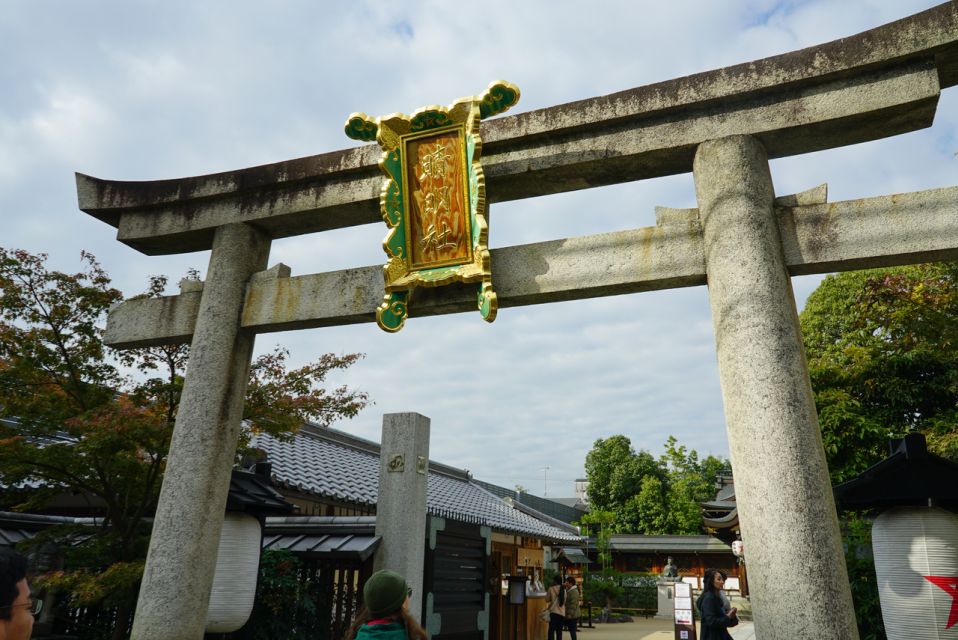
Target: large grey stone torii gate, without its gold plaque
{"x":741,"y":241}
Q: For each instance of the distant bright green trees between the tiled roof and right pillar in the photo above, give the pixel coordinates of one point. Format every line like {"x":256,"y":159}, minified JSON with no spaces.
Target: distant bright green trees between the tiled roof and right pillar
{"x":647,"y":495}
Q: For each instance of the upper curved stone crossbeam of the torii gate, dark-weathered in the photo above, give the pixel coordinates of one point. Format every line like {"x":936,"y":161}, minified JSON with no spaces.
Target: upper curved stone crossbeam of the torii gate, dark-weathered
{"x":880,"y":83}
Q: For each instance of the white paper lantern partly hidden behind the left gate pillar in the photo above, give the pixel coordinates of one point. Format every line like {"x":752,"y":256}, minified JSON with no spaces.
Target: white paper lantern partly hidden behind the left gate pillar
{"x":234,"y":585}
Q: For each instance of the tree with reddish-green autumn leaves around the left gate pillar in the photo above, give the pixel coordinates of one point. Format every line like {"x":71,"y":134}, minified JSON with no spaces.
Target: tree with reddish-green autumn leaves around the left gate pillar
{"x":76,"y":425}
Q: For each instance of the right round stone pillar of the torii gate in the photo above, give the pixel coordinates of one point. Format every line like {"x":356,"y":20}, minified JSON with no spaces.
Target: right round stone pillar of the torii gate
{"x":796,"y":568}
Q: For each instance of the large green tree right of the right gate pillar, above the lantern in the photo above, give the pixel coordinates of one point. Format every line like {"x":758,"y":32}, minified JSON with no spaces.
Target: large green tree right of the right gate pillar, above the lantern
{"x":881,"y":348}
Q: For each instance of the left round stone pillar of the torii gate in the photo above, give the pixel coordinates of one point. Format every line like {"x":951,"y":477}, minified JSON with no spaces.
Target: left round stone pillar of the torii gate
{"x":174,"y":594}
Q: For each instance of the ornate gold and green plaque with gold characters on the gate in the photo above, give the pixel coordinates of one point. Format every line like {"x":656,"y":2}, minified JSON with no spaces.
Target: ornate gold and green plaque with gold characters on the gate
{"x":434,"y":199}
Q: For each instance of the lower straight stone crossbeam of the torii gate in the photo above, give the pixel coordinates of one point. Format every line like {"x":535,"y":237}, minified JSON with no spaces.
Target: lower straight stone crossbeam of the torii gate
{"x":817,"y":238}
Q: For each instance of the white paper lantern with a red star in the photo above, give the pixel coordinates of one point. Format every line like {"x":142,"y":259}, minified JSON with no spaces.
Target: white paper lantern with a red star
{"x":916,"y":561}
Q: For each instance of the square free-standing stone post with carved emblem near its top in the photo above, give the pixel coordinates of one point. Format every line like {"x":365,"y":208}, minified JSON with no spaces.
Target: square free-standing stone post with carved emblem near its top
{"x":401,"y":506}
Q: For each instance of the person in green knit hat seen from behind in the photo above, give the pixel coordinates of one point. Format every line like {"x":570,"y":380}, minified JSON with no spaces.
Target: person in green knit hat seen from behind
{"x":385,"y":611}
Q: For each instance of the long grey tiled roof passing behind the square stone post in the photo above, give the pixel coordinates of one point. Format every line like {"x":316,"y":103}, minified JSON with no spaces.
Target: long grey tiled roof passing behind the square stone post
{"x":333,"y":464}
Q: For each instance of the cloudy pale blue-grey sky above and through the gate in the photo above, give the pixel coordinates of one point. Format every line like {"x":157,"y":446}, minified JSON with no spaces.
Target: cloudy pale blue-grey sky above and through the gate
{"x":143,"y":90}
